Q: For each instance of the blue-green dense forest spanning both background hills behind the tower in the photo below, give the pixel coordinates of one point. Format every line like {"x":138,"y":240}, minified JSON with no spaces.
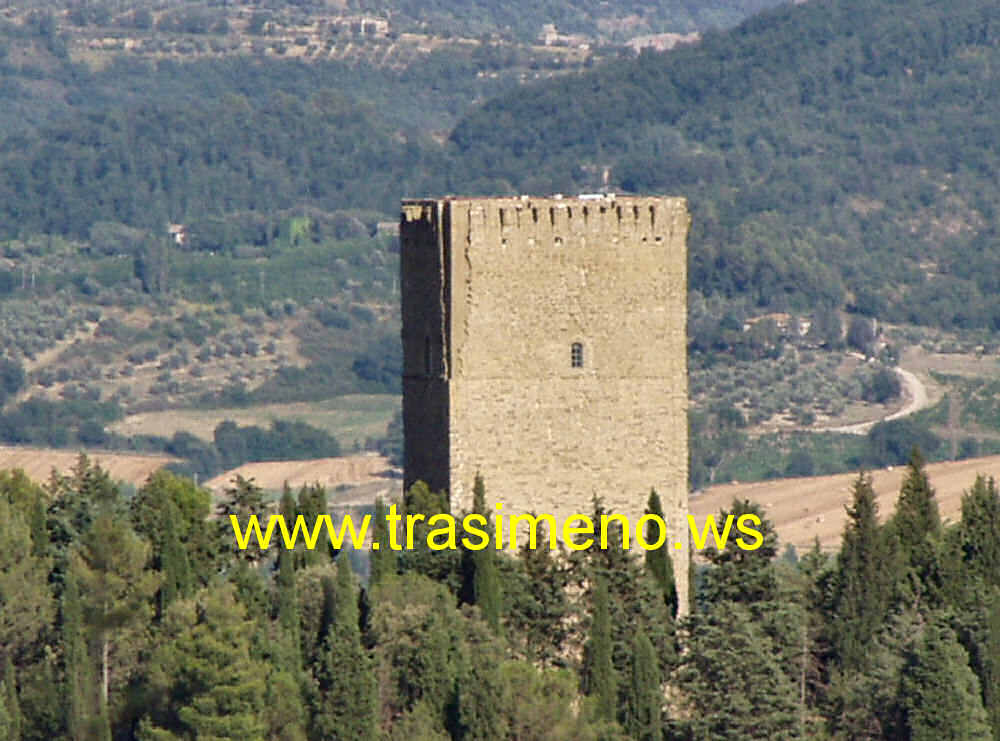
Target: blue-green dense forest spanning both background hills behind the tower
{"x":833,"y":153}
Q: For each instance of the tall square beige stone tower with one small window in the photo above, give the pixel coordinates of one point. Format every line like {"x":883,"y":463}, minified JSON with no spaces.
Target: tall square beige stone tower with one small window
{"x":544,"y":346}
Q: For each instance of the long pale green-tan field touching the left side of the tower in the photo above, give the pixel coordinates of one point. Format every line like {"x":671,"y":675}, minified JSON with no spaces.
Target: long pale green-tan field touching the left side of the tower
{"x":348,"y":418}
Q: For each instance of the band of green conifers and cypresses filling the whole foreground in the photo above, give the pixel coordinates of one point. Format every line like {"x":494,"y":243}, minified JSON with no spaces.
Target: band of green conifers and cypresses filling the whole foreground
{"x":132,"y":615}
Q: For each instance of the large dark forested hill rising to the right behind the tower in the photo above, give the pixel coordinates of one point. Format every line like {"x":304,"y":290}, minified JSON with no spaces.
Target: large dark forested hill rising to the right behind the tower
{"x":833,"y":152}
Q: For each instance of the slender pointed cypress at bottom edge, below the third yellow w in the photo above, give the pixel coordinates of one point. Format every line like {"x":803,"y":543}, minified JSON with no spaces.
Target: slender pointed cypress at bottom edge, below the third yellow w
{"x":348,"y":699}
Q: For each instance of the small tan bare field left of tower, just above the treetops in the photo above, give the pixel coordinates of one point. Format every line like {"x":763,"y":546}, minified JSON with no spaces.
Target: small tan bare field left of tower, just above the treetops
{"x":368,"y":474}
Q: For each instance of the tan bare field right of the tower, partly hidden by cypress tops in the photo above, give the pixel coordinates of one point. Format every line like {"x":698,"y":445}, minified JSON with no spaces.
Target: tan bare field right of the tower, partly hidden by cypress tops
{"x":808,"y":508}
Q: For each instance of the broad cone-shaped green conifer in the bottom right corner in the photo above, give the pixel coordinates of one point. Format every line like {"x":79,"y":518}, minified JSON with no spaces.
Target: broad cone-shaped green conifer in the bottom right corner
{"x":940,"y":693}
